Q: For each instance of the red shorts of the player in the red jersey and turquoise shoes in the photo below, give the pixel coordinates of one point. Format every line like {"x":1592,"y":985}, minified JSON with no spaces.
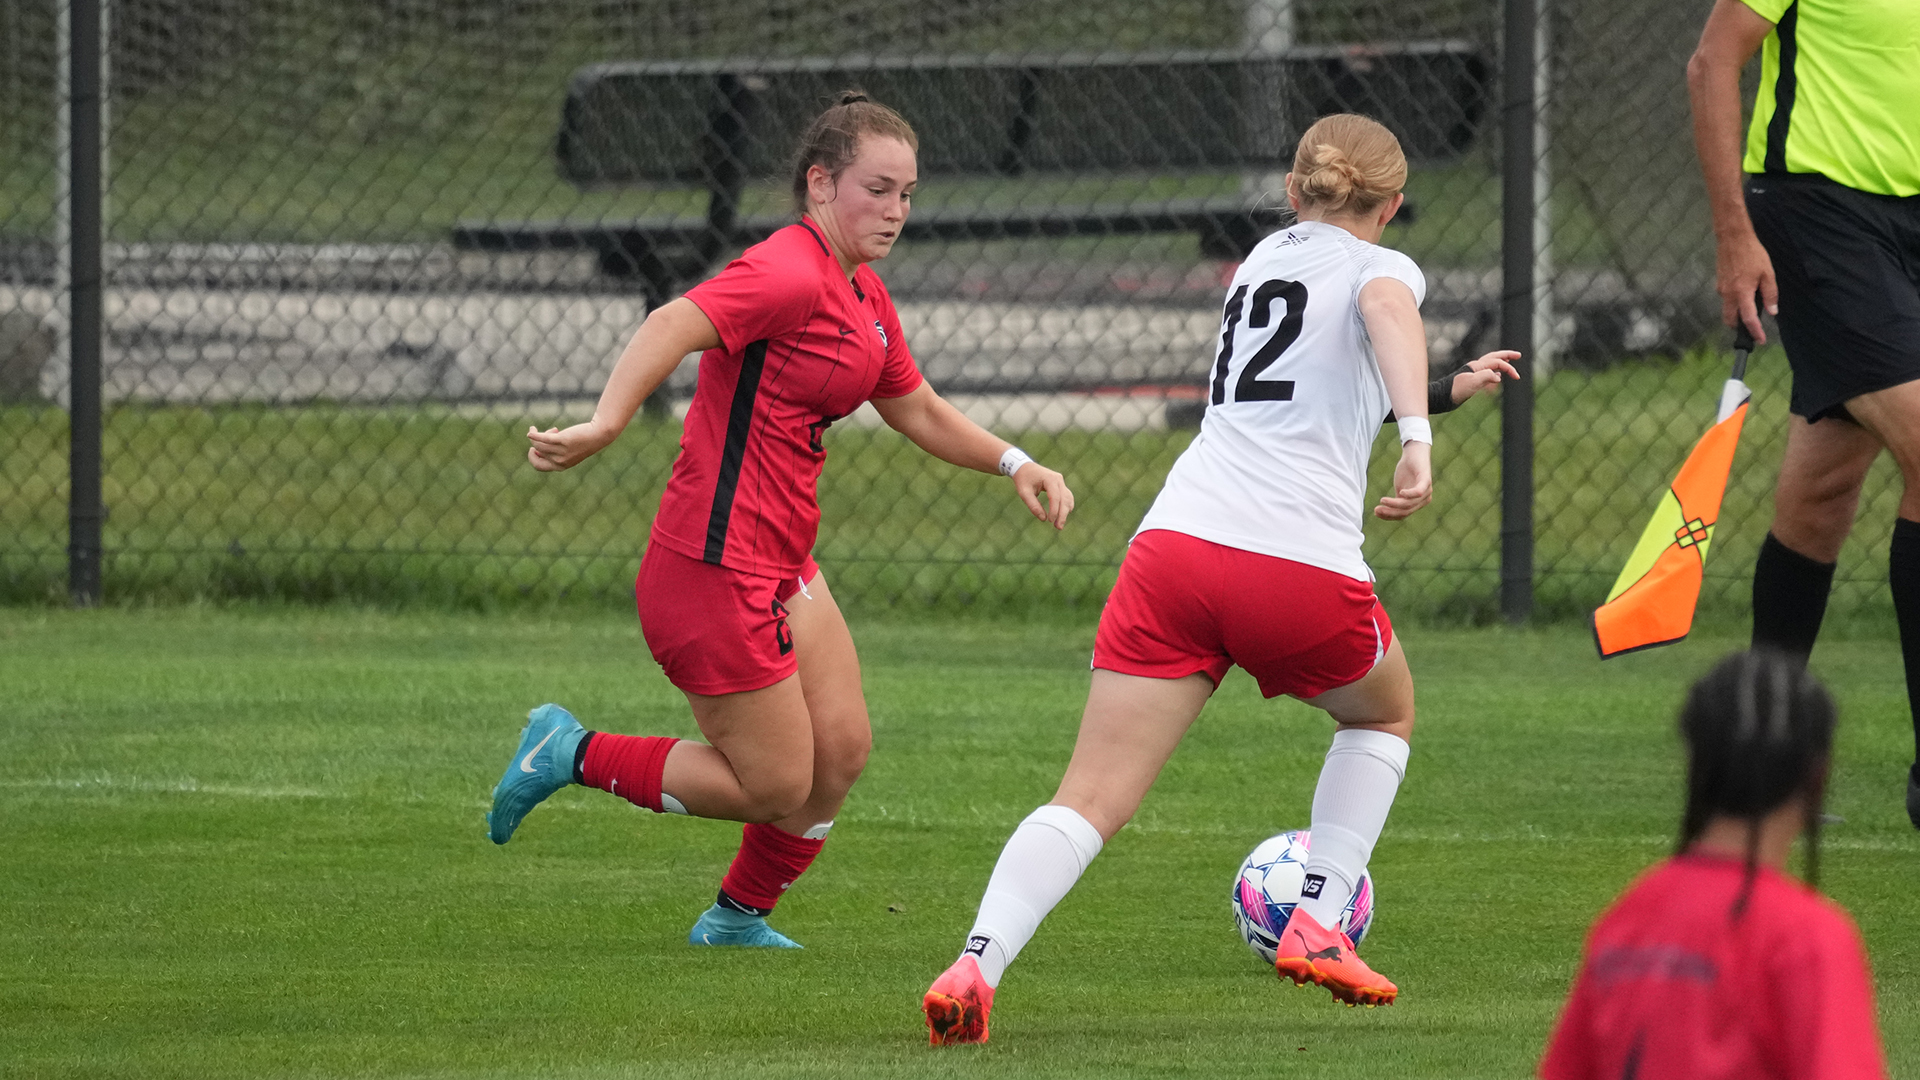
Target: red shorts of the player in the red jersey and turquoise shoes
{"x":715,"y":631}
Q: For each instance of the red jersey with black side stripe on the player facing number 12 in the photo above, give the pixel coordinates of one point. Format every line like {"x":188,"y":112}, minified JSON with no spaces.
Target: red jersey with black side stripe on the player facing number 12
{"x":800,"y":349}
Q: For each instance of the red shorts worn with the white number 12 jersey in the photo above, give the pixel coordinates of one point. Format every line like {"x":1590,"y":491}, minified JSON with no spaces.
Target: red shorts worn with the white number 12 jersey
{"x":1184,"y":604}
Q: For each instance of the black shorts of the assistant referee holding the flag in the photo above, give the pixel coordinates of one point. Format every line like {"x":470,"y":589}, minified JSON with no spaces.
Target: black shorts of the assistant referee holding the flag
{"x":1850,"y":287}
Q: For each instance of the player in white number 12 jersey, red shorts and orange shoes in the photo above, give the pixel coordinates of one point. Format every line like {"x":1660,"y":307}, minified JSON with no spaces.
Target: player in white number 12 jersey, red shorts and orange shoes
{"x":1253,"y":556}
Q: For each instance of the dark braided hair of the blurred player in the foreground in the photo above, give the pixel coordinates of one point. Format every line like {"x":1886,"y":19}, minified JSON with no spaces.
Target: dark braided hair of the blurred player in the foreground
{"x":1758,"y":733}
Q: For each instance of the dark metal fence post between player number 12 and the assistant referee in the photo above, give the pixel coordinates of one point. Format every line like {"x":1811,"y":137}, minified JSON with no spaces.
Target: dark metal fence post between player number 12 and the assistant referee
{"x":1518,"y":310}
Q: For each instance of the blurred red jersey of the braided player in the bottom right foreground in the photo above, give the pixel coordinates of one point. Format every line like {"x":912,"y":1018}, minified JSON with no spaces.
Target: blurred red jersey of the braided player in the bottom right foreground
{"x":1673,"y":987}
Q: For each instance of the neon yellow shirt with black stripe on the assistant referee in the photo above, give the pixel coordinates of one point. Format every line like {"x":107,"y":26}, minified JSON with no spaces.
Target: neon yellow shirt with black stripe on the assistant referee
{"x":1840,"y":93}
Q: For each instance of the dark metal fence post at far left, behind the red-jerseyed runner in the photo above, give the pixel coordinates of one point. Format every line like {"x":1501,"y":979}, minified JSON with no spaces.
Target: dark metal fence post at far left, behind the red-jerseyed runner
{"x":85,"y":205}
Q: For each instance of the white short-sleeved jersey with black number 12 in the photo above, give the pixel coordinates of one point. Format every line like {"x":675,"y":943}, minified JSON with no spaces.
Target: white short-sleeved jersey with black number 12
{"x":1295,"y":403}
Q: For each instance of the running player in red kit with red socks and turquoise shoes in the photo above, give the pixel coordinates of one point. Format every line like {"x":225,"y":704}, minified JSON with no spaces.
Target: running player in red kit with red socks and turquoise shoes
{"x":794,"y":335}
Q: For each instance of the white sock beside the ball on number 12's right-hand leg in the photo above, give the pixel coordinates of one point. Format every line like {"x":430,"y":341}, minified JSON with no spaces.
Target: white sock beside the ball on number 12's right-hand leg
{"x":1351,"y":802}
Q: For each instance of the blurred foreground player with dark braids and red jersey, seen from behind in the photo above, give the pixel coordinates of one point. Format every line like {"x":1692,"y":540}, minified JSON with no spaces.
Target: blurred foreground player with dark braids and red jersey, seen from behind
{"x":1717,"y":964}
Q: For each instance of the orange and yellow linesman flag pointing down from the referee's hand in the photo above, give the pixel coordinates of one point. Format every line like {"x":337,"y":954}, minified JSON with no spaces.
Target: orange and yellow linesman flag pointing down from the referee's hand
{"x":1652,"y":602}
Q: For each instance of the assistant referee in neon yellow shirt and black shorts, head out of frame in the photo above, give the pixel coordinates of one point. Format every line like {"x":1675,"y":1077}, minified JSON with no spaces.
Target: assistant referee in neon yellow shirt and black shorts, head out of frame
{"x":1821,"y":218}
